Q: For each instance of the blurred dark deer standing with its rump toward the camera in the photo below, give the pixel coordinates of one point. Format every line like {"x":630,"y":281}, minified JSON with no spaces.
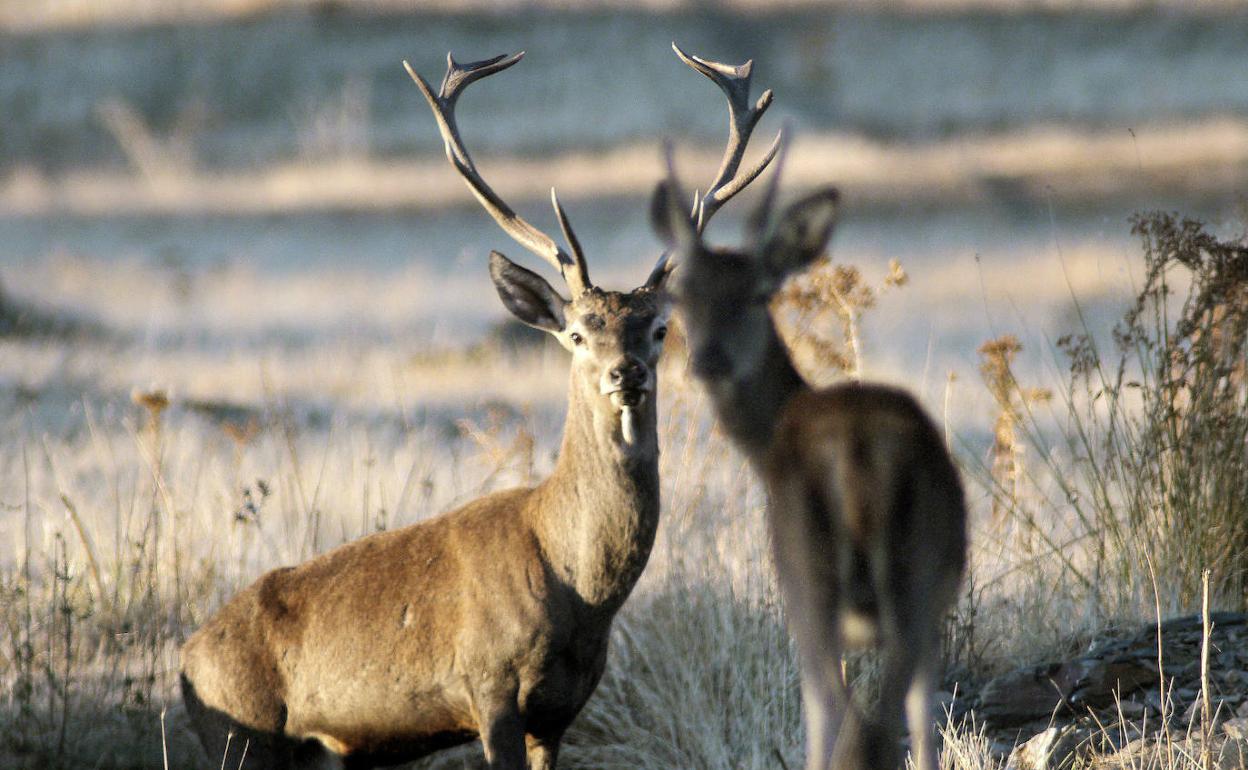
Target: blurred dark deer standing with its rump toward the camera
{"x":865,"y":509}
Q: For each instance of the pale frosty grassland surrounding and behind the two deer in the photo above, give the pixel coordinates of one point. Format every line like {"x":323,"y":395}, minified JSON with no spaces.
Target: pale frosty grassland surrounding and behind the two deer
{"x":245,"y":316}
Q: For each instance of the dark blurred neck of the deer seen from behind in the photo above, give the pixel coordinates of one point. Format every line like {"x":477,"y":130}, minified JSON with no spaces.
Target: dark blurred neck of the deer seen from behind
{"x":749,"y":405}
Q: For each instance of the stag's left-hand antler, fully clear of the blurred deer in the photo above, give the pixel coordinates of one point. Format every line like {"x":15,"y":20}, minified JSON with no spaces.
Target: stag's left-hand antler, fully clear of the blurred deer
{"x":459,"y":77}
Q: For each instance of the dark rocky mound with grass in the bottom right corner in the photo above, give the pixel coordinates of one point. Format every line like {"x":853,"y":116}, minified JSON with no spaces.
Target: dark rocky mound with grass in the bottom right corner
{"x":1125,"y":703}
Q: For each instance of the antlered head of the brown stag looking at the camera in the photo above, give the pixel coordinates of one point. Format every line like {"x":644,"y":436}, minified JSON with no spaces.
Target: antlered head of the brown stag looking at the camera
{"x":615,"y":338}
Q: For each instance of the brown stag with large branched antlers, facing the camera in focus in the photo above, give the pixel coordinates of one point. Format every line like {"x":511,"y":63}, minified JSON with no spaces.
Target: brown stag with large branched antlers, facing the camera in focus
{"x":490,"y":622}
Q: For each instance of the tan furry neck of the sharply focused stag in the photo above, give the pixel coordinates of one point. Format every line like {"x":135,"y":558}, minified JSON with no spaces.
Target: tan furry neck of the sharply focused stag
{"x":600,"y":509}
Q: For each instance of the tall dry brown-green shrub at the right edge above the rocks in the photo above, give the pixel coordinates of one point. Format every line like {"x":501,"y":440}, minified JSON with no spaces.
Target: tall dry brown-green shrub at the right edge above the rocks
{"x":1151,"y":461}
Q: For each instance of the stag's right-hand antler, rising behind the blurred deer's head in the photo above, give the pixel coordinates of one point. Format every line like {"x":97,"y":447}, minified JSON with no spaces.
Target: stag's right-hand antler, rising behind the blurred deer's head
{"x":734,"y":82}
